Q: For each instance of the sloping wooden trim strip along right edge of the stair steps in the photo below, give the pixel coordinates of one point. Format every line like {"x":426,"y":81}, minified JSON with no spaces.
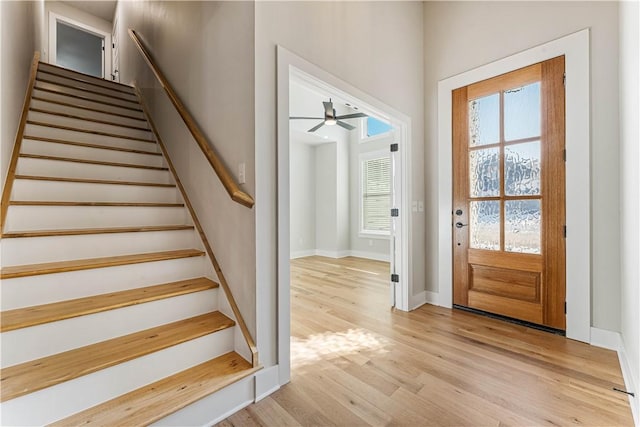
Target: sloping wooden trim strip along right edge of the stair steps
{"x":223,"y":281}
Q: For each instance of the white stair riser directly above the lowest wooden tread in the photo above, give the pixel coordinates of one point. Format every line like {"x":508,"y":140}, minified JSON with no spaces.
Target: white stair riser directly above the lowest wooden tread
{"x":62,"y":400}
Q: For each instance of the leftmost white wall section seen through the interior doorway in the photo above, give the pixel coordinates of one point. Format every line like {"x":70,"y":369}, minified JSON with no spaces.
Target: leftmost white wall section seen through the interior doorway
{"x":302,"y":161}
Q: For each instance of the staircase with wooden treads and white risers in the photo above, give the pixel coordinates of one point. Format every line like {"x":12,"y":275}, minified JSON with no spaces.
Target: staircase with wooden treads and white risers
{"x":111,"y":310}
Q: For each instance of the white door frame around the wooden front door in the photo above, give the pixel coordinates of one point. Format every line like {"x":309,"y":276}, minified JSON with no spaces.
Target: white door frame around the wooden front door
{"x":575,"y":48}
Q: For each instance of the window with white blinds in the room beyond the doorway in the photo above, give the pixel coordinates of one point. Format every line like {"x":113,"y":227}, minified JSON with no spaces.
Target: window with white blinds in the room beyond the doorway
{"x":376,"y":195}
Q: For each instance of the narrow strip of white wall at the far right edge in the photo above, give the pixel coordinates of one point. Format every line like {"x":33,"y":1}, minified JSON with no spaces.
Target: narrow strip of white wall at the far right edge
{"x":630,"y":189}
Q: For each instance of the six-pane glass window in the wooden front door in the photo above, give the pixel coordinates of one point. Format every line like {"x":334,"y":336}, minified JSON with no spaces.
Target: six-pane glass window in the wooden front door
{"x":505,"y":201}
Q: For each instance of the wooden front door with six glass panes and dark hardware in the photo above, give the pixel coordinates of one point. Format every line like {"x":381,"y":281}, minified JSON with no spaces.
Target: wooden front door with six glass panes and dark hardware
{"x":509,"y":195}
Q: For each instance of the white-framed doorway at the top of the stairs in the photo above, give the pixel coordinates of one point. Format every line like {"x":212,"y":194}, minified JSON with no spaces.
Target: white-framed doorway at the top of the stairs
{"x":79,"y":47}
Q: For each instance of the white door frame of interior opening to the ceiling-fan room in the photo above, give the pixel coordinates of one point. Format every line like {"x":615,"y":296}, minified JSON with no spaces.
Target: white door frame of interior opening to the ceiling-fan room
{"x":288,"y":62}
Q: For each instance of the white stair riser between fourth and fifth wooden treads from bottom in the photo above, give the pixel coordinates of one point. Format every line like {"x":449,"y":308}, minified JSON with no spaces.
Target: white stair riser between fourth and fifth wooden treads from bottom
{"x":34,"y":250}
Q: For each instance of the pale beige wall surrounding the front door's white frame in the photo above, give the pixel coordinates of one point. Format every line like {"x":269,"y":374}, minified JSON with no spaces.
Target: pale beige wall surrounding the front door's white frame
{"x":460,"y":36}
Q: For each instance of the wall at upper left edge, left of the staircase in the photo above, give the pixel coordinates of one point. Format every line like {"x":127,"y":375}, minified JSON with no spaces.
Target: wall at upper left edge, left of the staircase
{"x":16,"y":51}
